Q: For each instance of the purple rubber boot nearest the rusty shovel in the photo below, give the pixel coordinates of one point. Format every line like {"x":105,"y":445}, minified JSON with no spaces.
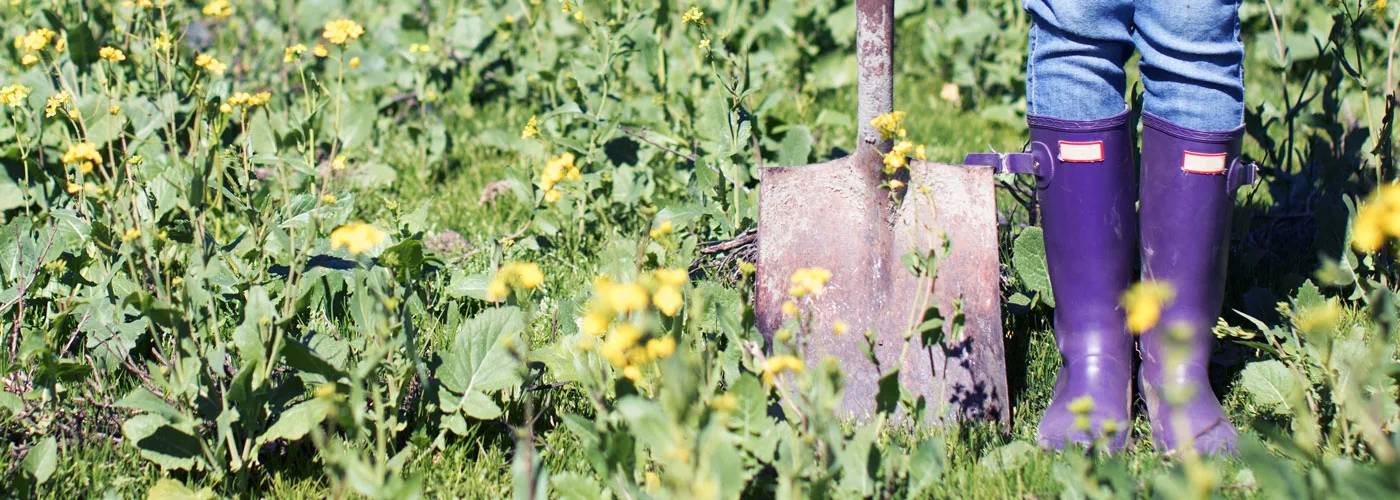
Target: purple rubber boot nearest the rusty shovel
{"x":1087,"y":202}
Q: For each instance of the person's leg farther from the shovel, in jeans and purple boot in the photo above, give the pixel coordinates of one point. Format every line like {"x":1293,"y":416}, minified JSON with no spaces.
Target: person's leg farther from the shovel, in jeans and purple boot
{"x":1192,"y":132}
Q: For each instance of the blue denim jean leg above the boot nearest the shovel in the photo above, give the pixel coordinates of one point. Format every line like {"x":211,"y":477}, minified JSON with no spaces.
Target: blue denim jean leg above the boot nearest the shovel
{"x":1077,"y":51}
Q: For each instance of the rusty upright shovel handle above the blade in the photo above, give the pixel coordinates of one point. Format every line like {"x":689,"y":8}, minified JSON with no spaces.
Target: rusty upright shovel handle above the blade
{"x":876,"y":67}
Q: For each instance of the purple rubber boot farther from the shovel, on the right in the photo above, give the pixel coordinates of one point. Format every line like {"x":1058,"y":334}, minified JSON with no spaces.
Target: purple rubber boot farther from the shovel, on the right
{"x":1189,"y":183}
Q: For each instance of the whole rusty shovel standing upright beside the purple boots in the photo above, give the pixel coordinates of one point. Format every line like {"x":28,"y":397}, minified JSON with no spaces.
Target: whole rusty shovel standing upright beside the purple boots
{"x":838,"y":216}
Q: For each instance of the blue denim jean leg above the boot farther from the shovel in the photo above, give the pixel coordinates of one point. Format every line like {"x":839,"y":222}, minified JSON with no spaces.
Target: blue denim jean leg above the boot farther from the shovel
{"x":1193,"y":62}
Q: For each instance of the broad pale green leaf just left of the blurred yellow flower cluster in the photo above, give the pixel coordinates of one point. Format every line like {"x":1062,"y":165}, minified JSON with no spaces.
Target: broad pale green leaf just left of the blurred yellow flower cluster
{"x":478,"y":362}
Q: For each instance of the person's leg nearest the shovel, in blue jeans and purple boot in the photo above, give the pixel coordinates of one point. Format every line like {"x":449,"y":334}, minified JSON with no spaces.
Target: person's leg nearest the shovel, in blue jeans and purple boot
{"x":1080,"y":127}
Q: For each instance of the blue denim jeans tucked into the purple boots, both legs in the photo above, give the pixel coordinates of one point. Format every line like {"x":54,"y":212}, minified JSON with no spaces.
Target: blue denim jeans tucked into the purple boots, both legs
{"x":1192,"y":60}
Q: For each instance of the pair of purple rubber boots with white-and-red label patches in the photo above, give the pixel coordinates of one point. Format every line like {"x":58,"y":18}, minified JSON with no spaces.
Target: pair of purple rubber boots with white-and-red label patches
{"x":1102,"y":233}
